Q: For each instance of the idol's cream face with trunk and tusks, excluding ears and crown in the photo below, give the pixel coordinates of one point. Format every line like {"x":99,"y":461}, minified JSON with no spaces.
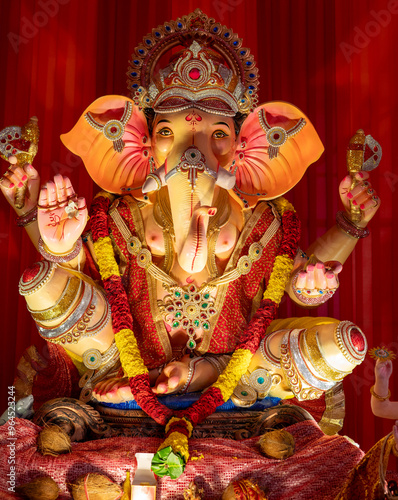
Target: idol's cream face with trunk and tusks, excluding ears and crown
{"x":194,"y":149}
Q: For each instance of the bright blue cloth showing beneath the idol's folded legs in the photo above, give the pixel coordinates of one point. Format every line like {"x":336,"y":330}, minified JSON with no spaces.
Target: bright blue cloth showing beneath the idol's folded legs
{"x":181,"y":402}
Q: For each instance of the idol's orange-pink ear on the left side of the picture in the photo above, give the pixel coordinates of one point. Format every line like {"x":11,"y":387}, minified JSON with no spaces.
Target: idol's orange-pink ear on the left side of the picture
{"x":113,"y":141}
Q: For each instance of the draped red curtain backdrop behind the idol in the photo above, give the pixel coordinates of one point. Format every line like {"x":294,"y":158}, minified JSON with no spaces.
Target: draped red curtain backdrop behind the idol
{"x":334,"y":60}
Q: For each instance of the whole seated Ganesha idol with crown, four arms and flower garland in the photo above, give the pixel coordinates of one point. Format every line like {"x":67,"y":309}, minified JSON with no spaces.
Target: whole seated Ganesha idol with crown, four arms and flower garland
{"x":173,"y":285}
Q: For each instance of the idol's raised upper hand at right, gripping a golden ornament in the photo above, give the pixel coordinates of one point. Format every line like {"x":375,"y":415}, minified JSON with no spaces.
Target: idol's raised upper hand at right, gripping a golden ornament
{"x":363,"y":196}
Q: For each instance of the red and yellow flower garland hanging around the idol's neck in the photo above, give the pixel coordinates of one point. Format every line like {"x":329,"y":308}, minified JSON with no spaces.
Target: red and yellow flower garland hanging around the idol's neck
{"x":179,"y":427}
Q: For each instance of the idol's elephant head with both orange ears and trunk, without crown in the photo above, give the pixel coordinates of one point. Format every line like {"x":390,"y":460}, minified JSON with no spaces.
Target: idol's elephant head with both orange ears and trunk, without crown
{"x":193,"y":153}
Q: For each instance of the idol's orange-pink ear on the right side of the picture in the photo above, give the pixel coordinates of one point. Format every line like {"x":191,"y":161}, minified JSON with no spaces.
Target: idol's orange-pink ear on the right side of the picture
{"x":276,"y":145}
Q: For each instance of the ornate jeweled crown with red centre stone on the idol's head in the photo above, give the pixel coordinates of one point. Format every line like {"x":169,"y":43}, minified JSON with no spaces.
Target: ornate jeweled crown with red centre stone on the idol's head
{"x":193,"y":61}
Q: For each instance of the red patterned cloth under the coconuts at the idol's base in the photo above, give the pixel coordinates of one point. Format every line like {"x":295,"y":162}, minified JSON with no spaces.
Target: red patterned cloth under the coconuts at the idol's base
{"x":317,"y":470}
